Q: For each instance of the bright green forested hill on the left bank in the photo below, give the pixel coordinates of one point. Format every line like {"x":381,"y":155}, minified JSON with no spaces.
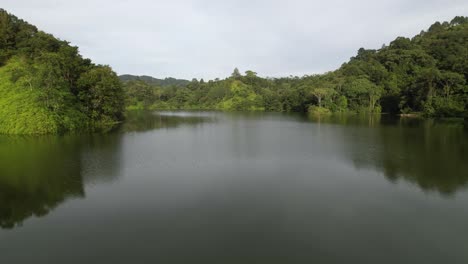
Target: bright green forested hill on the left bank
{"x":47,"y":87}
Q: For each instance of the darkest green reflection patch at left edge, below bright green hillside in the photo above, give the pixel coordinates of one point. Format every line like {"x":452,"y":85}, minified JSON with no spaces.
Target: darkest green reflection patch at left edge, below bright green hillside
{"x":36,"y":175}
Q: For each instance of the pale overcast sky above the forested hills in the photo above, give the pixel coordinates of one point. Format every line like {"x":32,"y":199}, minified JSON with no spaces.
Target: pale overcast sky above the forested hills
{"x":209,"y":38}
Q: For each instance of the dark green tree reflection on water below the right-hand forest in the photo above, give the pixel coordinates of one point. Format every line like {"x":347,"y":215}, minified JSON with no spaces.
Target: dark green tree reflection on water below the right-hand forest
{"x":430,"y":154}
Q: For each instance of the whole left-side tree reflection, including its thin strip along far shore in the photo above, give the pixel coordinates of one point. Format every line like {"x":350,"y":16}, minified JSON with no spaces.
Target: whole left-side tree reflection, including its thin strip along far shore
{"x":39,"y":173}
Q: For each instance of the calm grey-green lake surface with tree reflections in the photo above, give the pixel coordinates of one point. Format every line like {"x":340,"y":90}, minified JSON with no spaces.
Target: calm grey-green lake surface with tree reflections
{"x":210,"y":187}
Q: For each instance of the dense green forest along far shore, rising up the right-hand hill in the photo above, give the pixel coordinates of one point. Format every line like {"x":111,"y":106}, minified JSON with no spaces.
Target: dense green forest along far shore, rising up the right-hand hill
{"x":425,"y":75}
